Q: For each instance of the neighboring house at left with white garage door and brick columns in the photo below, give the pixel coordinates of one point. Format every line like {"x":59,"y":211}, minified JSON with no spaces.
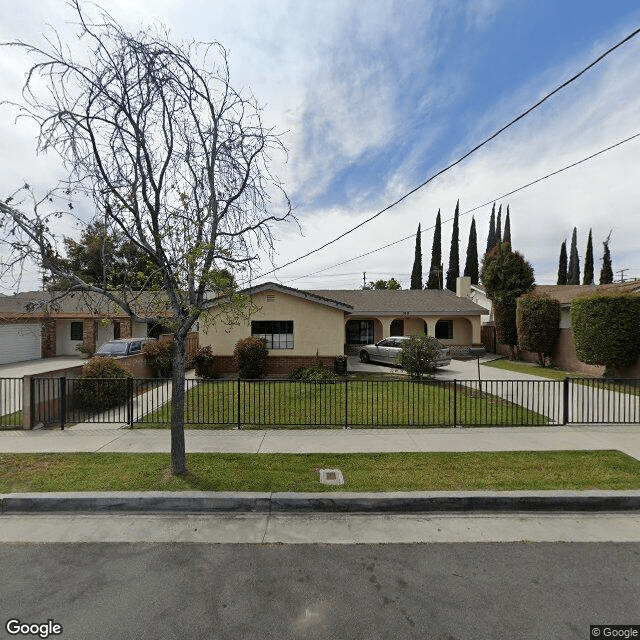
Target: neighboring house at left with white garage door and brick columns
{"x":36,"y":325}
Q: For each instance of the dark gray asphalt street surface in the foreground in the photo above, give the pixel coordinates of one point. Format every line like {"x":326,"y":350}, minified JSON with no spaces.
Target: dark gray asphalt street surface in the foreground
{"x":541,"y":591}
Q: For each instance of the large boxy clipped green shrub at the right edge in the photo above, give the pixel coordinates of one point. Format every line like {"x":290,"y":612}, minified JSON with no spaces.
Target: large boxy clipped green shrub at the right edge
{"x":606,"y":330}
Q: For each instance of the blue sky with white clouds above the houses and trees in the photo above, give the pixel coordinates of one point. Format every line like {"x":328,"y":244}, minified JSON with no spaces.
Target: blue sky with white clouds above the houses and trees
{"x":373,"y":97}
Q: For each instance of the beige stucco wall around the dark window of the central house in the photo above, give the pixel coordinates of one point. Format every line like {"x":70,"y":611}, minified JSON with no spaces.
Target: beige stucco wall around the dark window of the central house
{"x":316,"y":327}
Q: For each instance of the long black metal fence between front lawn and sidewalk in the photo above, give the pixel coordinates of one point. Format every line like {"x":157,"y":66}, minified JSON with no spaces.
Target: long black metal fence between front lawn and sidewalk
{"x":333,"y":404}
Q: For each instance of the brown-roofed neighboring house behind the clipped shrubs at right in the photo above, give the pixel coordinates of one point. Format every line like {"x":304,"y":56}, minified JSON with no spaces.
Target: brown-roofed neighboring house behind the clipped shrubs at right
{"x":564,"y":355}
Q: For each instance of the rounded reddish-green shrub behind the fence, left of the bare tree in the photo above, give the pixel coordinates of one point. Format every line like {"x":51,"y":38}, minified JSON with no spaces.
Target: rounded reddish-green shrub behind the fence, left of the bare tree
{"x":103,"y":384}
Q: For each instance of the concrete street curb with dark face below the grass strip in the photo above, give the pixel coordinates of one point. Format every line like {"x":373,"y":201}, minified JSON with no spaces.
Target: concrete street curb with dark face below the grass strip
{"x":335,"y":502}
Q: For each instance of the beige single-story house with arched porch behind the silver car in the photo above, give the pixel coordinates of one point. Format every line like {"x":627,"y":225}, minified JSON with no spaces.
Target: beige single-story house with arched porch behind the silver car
{"x":302,"y":325}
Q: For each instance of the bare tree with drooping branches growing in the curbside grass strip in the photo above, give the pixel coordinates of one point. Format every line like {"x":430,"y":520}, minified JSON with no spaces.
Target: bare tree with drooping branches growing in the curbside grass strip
{"x":174,"y":158}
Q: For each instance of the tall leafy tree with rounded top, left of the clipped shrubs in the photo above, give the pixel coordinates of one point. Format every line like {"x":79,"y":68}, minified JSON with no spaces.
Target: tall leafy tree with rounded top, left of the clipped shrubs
{"x":506,"y":276}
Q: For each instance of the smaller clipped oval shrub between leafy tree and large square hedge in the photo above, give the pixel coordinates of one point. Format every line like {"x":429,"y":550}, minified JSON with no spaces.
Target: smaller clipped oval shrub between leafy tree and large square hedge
{"x":538,"y":323}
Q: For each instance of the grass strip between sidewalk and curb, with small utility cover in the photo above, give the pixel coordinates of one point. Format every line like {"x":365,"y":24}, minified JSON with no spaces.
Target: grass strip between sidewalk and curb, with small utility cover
{"x":297,"y":472}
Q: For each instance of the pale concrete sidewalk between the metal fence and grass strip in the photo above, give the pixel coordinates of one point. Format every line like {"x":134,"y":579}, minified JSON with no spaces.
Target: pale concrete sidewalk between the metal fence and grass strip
{"x":625,"y":438}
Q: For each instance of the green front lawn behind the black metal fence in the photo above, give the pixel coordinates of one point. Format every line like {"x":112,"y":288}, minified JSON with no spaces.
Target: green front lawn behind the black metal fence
{"x":361,"y":403}
